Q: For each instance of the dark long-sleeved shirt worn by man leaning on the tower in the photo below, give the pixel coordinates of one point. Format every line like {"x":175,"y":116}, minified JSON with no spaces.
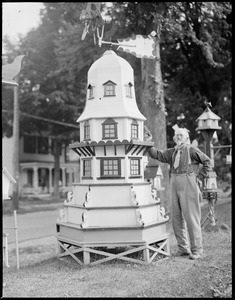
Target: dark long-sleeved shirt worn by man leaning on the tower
{"x":191,"y":159}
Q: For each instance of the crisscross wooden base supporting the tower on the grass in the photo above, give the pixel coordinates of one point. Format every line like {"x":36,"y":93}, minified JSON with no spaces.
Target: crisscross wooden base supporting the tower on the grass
{"x":103,"y":252}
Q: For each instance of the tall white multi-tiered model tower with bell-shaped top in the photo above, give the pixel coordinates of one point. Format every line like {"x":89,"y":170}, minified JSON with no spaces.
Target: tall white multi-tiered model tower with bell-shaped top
{"x":113,"y":206}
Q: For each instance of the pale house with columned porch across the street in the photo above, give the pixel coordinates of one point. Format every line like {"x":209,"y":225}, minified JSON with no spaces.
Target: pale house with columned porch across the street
{"x":36,"y":160}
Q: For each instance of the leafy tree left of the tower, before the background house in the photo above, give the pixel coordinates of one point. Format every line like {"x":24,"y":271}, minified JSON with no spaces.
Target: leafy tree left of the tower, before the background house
{"x":43,"y":90}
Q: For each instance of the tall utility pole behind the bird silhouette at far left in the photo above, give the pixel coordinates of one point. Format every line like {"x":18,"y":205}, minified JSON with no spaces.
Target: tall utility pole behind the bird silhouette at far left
{"x":16,"y":136}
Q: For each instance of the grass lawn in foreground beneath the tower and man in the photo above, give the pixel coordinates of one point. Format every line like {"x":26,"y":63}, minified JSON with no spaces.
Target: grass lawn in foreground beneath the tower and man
{"x":43,"y":274}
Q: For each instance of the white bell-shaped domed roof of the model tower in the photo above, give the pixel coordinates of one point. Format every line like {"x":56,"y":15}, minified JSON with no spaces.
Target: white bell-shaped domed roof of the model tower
{"x":115,"y":70}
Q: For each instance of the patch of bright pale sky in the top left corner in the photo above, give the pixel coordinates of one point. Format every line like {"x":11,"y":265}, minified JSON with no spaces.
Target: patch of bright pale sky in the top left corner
{"x":19,"y":17}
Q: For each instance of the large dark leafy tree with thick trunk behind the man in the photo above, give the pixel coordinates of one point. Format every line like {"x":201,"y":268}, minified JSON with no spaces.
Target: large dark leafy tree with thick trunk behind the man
{"x":195,"y":62}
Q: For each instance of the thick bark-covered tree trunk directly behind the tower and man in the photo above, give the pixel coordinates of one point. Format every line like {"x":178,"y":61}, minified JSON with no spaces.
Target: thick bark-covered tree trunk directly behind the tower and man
{"x":152,"y":105}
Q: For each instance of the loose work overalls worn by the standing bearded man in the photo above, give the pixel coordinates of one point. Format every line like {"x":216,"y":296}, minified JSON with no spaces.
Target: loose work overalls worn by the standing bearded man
{"x":186,"y":212}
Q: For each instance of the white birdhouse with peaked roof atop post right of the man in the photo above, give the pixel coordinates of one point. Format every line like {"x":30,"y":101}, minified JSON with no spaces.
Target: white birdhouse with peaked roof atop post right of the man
{"x":208,"y":120}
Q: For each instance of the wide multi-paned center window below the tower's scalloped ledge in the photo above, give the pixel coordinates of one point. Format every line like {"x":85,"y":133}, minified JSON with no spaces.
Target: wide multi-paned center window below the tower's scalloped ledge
{"x":110,"y":167}
